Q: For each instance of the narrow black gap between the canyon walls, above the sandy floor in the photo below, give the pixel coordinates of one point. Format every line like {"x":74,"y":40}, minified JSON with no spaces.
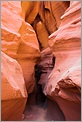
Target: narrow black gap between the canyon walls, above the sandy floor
{"x":37,"y":97}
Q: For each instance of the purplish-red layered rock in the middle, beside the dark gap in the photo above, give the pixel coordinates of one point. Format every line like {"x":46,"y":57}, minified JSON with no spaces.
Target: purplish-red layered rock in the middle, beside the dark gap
{"x":46,"y":65}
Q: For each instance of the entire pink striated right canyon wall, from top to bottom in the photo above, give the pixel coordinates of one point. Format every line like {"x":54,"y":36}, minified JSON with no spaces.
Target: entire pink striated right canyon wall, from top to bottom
{"x":64,"y":82}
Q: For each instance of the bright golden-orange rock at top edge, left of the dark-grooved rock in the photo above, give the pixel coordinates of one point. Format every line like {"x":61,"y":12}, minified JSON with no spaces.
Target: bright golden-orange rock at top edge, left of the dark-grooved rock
{"x":30,"y":10}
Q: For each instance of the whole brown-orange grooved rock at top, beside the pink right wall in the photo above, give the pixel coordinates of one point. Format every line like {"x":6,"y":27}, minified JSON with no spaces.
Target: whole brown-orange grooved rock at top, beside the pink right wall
{"x":50,"y":13}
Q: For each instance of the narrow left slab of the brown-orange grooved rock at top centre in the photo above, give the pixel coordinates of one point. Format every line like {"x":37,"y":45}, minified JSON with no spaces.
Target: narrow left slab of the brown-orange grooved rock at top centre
{"x":47,"y":17}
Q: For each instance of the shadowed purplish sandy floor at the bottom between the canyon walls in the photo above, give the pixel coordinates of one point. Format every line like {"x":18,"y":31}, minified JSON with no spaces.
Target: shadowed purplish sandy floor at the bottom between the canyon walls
{"x":47,"y":111}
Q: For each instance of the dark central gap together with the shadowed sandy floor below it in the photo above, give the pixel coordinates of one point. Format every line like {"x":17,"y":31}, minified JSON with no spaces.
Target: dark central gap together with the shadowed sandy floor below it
{"x":39,"y":107}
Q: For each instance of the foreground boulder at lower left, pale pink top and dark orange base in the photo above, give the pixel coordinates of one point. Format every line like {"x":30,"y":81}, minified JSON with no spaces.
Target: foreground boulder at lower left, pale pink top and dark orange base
{"x":13,"y":91}
